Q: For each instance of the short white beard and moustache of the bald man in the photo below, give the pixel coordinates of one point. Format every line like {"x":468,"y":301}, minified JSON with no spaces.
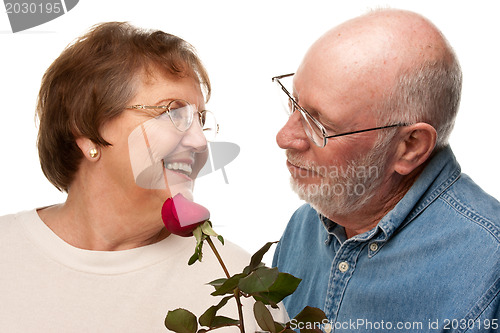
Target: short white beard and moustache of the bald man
{"x":349,"y":188}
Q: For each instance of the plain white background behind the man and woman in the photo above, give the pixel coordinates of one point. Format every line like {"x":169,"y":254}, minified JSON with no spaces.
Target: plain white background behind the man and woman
{"x":243,"y":44}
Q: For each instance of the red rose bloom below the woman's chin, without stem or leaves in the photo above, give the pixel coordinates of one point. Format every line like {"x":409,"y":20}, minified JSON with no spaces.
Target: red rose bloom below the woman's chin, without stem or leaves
{"x":182,"y":216}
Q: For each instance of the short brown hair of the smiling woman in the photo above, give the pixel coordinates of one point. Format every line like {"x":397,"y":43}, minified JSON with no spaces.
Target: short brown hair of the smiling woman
{"x":92,"y":81}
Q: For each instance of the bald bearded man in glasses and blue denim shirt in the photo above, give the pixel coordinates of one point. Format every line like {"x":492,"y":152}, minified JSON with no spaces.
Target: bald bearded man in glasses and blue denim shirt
{"x":393,"y":237}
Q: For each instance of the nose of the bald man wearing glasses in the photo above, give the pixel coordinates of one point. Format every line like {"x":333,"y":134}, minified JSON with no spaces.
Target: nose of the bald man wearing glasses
{"x":293,"y":135}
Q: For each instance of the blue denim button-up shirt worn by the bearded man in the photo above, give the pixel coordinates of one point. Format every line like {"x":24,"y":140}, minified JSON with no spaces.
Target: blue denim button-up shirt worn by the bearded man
{"x":432,"y":264}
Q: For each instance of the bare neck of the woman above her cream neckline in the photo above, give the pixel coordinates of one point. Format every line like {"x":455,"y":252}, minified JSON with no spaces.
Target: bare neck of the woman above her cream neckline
{"x":105,"y":222}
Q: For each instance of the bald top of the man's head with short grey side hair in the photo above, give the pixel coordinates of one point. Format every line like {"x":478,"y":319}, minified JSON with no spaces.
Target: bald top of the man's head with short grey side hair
{"x":394,"y":64}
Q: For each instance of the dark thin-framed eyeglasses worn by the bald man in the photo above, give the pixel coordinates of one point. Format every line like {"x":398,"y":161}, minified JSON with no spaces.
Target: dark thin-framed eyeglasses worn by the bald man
{"x":313,"y":128}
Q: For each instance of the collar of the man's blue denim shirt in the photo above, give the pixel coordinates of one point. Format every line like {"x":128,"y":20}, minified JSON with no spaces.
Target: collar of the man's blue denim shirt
{"x":439,"y":174}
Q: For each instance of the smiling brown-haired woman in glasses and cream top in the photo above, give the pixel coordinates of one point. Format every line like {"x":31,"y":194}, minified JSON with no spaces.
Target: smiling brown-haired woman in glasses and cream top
{"x":122,"y":126}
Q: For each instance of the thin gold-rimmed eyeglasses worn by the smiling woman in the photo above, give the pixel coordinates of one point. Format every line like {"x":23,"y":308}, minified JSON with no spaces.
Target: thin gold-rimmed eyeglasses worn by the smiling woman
{"x":181,"y":113}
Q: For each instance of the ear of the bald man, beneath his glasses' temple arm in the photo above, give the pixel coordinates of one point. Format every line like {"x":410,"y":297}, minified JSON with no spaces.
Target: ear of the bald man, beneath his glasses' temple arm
{"x":415,"y":147}
